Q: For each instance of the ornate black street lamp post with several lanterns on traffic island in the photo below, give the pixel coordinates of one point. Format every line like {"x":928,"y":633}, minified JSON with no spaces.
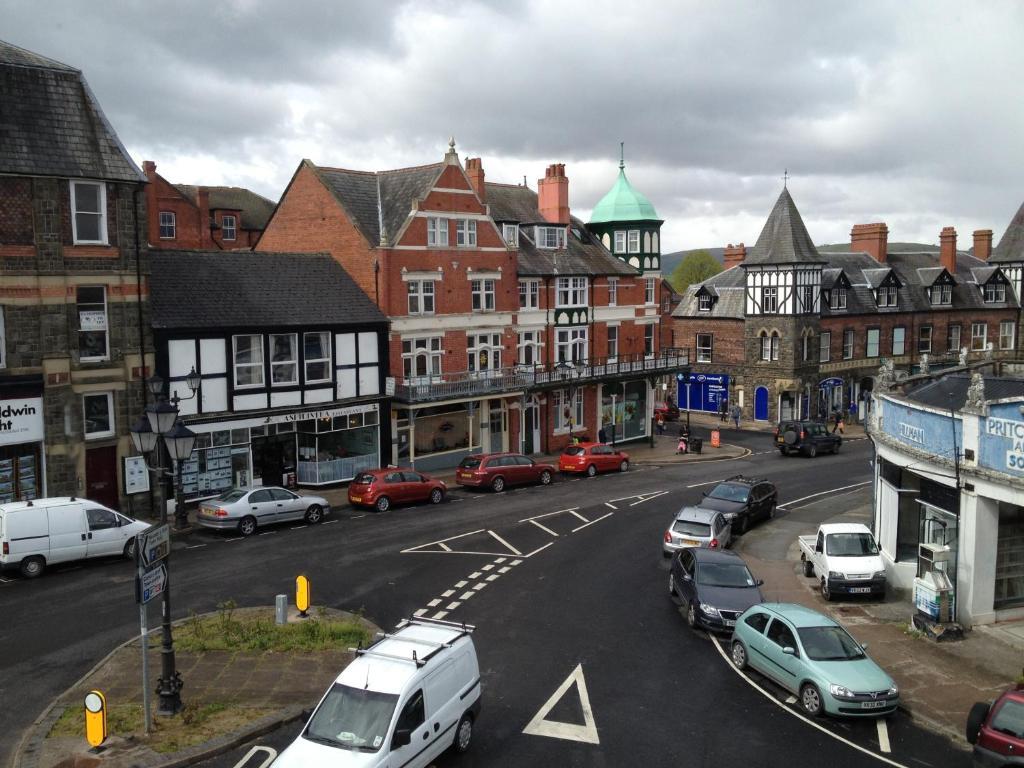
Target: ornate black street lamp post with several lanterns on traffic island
{"x":161,"y":420}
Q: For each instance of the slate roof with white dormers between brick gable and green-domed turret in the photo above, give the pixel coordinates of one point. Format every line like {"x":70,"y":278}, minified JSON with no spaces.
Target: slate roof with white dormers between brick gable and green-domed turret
{"x":584,"y":253}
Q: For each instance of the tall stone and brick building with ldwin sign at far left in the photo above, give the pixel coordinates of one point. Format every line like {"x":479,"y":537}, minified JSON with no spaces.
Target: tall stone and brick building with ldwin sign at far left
{"x":73,"y":310}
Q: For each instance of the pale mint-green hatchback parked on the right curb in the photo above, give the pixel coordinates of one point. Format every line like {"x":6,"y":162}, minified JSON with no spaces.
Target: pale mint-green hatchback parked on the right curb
{"x":815,"y":658}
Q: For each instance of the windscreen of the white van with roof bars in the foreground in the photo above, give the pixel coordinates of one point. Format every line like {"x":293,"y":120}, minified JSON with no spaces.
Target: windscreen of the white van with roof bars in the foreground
{"x":352,"y":719}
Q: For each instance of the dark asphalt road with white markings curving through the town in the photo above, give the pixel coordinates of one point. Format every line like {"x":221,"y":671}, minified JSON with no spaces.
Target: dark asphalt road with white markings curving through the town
{"x":579,"y":588}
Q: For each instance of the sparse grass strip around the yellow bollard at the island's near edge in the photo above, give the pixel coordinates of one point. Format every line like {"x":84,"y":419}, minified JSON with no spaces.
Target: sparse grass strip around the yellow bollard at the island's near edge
{"x":196,"y":724}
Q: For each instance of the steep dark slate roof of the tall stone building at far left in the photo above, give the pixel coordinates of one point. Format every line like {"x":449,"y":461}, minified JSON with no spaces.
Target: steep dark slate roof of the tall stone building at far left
{"x":52,"y":124}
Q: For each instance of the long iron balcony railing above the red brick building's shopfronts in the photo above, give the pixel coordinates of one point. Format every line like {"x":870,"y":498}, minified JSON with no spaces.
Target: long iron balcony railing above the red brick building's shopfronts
{"x":553,"y":376}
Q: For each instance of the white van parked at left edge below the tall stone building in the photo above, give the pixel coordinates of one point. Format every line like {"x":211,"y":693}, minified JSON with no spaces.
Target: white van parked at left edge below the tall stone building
{"x":45,"y":532}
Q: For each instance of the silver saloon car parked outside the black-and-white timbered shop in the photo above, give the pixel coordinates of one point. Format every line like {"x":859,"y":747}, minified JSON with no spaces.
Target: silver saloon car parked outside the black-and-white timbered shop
{"x":247,"y":509}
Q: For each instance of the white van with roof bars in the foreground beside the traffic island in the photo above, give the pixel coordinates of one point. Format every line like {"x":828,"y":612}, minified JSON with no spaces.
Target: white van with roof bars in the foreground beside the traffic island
{"x":402,"y":702}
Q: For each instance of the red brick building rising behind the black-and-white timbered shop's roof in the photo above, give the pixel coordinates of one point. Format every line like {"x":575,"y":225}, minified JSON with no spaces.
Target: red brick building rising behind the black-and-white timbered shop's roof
{"x":186,"y":217}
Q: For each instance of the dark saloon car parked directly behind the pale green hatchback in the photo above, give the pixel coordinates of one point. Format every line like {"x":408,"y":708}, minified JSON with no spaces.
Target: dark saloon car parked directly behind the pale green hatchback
{"x":714,"y":586}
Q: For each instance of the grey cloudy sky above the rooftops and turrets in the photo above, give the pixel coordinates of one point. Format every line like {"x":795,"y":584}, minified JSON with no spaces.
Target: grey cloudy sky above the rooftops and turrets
{"x":907,"y":113}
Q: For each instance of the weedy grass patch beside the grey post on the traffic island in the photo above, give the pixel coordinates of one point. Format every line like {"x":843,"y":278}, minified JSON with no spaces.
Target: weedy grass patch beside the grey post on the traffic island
{"x":258,"y":632}
